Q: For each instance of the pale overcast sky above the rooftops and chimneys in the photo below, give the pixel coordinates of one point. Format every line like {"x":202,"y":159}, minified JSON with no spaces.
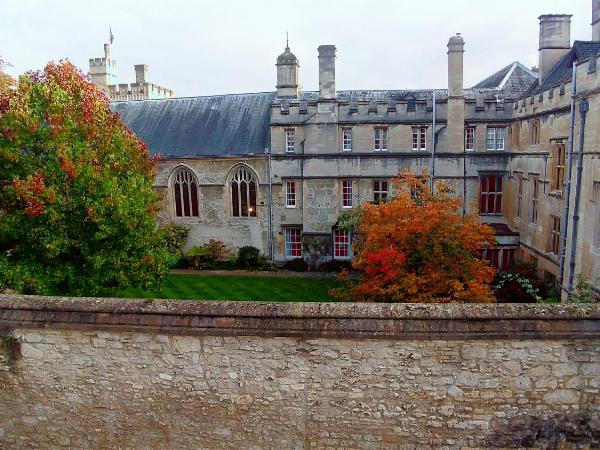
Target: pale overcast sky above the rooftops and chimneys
{"x":225,"y":46}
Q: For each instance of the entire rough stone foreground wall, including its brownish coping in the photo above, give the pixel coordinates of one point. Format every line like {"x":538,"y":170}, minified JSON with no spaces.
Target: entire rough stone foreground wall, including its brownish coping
{"x":114,"y":373}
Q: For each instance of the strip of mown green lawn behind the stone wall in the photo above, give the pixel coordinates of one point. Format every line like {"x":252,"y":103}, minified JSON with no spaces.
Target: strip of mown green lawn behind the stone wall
{"x":193,"y":287}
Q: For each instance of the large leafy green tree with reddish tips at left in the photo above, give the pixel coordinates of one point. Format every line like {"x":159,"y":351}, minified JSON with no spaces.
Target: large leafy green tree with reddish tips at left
{"x":77,"y":205}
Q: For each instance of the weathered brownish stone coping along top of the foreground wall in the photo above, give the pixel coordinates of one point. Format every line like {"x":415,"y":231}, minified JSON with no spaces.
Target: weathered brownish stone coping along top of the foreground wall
{"x":305,"y":320}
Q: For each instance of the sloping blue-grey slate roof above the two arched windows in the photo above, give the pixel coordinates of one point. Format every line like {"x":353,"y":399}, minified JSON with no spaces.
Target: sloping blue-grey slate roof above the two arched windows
{"x":219,"y":125}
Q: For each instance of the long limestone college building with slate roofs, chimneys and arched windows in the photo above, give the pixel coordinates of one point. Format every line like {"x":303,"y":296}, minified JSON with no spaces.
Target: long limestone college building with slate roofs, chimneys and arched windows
{"x":276,"y":169}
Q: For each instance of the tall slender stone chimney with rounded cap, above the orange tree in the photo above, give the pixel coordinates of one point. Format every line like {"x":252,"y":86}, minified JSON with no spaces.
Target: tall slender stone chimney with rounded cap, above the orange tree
{"x":456,"y":101}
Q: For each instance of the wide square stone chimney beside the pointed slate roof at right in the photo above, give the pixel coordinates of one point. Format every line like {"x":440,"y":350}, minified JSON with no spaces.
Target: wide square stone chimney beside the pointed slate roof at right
{"x":555,"y":41}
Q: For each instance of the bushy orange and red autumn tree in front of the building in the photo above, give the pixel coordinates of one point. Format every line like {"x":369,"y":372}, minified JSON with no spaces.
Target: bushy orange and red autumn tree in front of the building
{"x":417,"y":247}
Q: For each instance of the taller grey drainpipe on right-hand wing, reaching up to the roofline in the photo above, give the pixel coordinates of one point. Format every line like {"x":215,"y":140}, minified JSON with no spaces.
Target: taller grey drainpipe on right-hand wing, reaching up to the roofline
{"x":564,"y":220}
